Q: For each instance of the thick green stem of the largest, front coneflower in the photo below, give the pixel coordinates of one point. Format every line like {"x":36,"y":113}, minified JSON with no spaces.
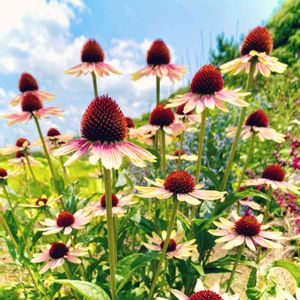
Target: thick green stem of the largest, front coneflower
{"x":111,"y":234}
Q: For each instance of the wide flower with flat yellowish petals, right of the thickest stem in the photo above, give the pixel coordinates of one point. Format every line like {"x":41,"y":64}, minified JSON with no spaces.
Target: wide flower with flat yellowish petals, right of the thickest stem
{"x":181,"y":184}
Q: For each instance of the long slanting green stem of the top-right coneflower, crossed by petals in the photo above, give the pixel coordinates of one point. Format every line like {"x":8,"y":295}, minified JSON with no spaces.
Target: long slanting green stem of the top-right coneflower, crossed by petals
{"x":239,"y":129}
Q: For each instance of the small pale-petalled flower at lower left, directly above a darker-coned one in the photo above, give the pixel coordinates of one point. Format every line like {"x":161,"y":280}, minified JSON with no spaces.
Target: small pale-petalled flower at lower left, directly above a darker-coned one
{"x":66,"y":222}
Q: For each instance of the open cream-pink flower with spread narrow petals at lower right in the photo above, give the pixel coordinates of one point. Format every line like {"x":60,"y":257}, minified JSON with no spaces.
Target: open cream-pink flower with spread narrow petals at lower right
{"x":247,"y":229}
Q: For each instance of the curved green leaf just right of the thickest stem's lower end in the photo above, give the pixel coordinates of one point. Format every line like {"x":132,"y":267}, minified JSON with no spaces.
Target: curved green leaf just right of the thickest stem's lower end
{"x":128,"y":265}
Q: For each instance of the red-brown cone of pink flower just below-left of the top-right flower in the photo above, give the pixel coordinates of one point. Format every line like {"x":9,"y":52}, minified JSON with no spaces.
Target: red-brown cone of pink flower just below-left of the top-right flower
{"x":207,"y":80}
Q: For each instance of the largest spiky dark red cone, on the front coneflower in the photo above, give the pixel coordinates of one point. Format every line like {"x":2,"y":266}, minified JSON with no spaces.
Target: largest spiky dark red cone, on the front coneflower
{"x":103,"y":121}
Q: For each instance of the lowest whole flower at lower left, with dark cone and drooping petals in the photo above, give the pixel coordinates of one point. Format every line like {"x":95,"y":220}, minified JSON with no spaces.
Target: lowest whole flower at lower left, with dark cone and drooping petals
{"x":56,"y":254}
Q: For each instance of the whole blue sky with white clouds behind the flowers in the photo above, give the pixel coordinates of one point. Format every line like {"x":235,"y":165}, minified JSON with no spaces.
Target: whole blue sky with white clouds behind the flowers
{"x":45,"y":37}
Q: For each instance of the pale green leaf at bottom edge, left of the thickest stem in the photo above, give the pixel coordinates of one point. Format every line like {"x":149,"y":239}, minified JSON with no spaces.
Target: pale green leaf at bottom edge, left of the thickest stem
{"x":89,"y":290}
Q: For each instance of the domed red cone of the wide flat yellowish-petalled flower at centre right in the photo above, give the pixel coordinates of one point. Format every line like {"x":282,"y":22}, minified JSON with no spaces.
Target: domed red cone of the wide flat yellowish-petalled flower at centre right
{"x":179,"y":182}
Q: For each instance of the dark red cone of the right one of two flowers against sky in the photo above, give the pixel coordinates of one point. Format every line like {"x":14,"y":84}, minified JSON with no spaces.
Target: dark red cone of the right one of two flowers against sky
{"x":158,"y":53}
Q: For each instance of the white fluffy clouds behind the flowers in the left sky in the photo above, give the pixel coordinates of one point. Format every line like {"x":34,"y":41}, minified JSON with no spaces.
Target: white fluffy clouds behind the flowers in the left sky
{"x":38,"y":39}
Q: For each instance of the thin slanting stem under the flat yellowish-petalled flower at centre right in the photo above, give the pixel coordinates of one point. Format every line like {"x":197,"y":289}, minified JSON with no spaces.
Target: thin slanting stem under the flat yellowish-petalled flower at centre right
{"x":165,"y":247}
